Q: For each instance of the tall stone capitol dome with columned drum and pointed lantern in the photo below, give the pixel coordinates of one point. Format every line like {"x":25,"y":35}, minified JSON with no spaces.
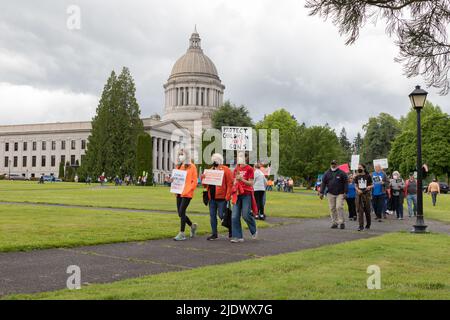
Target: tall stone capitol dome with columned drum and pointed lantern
{"x":194,"y":89}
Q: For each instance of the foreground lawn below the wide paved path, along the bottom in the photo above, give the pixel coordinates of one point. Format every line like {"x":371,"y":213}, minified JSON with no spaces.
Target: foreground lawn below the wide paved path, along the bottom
{"x":412,"y":267}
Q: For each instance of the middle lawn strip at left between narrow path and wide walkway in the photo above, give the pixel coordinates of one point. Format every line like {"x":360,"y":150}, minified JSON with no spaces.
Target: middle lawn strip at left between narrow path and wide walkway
{"x":26,"y":227}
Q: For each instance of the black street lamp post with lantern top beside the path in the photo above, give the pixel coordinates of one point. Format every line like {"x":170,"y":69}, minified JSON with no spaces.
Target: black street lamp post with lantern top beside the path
{"x":418,"y":98}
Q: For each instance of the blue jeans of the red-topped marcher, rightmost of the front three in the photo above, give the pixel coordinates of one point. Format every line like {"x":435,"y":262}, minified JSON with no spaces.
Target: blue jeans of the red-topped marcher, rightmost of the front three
{"x":242,"y":208}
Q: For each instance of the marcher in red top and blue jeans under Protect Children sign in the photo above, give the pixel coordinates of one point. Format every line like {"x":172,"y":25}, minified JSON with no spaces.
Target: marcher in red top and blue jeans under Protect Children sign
{"x":243,"y":176}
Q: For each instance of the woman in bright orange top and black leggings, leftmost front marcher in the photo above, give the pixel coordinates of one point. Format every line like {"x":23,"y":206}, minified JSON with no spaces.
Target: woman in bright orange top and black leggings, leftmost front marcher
{"x":184,"y":199}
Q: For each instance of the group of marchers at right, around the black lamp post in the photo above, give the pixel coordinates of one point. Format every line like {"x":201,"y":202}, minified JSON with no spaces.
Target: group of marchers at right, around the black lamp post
{"x":365,"y":192}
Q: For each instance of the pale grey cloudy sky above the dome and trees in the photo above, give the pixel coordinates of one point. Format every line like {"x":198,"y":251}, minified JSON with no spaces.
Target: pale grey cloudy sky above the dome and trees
{"x":269,"y":54}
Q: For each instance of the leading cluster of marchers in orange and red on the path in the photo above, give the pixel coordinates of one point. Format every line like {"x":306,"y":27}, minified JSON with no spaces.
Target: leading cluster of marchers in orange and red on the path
{"x":244,"y":187}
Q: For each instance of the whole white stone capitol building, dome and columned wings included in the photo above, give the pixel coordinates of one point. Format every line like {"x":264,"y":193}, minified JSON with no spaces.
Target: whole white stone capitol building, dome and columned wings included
{"x":193,"y":92}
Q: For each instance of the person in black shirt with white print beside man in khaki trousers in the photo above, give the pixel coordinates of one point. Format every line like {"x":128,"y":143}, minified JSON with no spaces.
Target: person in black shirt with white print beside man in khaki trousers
{"x":363,"y":184}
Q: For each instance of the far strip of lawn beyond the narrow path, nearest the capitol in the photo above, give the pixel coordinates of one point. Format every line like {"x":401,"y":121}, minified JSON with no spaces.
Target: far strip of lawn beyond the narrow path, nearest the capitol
{"x":302,"y":204}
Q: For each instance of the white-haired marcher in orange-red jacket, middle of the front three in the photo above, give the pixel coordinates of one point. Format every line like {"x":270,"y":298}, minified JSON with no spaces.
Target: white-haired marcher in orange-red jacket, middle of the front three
{"x":218,"y":195}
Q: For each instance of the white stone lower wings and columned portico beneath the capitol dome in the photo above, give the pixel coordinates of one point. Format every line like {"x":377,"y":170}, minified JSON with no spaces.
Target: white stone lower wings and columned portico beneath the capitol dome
{"x":36,"y":149}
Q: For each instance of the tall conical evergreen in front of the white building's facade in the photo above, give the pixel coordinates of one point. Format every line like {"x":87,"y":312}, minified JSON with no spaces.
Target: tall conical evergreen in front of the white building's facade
{"x":115,"y":128}
